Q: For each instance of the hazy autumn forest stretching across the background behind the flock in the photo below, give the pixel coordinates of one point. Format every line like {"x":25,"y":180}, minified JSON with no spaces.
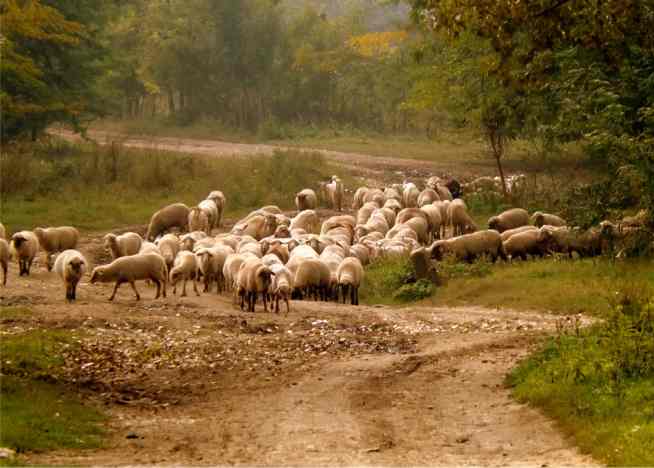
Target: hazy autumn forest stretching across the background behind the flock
{"x":548,"y":71}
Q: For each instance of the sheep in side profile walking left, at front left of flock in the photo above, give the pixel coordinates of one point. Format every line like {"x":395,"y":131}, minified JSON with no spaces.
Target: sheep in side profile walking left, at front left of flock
{"x":131,"y":268}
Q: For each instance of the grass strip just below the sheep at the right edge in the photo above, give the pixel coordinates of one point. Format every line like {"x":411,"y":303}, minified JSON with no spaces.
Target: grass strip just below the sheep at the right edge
{"x":559,"y":286}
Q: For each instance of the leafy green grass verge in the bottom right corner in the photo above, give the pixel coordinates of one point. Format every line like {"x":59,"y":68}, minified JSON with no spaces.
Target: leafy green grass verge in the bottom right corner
{"x":599,"y":383}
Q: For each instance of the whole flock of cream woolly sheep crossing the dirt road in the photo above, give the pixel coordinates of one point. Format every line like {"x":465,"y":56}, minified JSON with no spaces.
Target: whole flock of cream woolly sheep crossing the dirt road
{"x":272,"y":256}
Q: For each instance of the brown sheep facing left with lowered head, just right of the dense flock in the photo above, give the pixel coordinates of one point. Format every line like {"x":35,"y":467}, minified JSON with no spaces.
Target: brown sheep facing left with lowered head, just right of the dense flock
{"x":470,"y":246}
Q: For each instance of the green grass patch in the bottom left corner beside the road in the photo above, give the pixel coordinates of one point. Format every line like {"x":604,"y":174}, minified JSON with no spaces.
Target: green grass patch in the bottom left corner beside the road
{"x":38,"y":412}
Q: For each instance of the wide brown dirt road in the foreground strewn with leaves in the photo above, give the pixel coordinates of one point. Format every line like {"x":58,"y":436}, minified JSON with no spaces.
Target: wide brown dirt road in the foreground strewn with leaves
{"x":196,"y":381}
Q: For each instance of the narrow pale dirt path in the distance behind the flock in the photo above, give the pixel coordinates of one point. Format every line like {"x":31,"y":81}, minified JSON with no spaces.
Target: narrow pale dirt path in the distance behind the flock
{"x":355,"y":162}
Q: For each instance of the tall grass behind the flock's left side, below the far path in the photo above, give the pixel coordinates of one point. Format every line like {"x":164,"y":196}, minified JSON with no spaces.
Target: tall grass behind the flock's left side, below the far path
{"x":100,"y":188}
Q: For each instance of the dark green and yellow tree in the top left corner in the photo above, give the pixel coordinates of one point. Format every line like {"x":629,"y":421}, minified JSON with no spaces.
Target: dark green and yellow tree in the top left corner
{"x":50,"y":64}
